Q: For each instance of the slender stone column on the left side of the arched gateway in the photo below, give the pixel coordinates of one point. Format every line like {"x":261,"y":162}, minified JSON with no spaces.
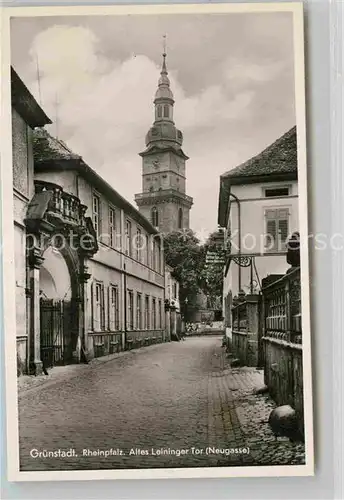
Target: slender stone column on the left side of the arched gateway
{"x":35,"y":262}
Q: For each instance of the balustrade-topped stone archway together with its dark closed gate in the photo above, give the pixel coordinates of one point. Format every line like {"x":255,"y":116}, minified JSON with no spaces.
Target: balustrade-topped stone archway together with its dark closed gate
{"x":57,"y":326}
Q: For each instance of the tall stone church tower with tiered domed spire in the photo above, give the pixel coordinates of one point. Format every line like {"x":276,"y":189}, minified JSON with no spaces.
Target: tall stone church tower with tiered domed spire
{"x":163,"y":200}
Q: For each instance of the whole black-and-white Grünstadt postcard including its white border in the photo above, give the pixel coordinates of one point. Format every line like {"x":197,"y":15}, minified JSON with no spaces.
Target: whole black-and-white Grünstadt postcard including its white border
{"x":155,"y":242}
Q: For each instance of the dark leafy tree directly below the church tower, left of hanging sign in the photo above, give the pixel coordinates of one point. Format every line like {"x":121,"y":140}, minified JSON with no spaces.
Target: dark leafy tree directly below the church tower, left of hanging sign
{"x":184,"y":254}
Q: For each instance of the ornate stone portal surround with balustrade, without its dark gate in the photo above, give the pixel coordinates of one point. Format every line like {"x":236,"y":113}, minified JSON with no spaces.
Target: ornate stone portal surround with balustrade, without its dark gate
{"x":56,"y":219}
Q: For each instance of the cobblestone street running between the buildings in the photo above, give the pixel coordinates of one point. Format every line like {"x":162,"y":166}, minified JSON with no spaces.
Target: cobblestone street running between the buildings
{"x":146,"y":405}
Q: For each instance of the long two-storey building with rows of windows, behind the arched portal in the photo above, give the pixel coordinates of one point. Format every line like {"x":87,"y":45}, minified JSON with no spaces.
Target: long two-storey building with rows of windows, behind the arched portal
{"x":123,"y":275}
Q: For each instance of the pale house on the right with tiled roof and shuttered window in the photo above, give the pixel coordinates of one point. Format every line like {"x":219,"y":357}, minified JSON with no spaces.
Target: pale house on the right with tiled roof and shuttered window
{"x":258,"y":207}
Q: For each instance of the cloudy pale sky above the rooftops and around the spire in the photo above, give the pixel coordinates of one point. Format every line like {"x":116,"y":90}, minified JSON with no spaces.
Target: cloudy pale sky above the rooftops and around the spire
{"x":232,"y":76}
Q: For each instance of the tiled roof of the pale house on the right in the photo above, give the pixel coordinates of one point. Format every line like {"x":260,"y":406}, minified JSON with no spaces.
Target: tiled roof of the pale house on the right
{"x":278,"y":162}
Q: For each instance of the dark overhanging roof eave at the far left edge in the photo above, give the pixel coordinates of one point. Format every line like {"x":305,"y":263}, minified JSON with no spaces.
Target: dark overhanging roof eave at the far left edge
{"x":25,"y":104}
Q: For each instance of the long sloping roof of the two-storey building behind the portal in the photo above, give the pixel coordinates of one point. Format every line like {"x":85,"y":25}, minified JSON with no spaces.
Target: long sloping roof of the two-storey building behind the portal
{"x":52,"y":154}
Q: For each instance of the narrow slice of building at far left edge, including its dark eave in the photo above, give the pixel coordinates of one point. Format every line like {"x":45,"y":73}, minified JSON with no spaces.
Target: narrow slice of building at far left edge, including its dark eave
{"x":26,"y":116}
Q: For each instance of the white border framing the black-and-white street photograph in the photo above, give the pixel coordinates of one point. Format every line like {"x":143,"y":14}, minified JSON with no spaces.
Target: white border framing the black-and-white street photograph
{"x":14,"y":474}
